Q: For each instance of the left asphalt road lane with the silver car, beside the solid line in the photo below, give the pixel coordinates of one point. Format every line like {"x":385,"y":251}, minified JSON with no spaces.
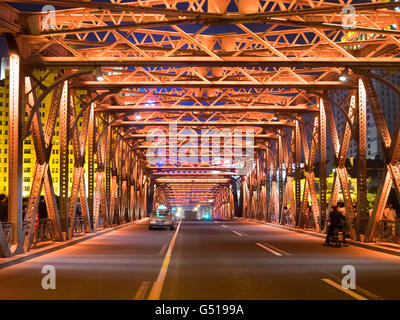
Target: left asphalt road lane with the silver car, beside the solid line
{"x":111,"y":266}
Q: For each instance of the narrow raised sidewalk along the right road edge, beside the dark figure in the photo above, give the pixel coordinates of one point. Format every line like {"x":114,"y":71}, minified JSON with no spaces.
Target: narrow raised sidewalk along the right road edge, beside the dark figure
{"x":380,"y":246}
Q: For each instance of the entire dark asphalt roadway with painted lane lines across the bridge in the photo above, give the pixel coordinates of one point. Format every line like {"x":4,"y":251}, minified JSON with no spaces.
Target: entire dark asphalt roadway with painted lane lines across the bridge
{"x":208,"y":260}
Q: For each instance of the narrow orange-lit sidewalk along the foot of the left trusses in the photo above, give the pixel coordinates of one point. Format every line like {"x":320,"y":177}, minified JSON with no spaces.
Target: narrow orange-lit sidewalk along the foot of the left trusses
{"x":54,"y":246}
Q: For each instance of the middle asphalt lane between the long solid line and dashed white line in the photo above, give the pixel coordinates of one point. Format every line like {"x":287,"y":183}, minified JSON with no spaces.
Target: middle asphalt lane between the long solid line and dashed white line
{"x":211,"y":262}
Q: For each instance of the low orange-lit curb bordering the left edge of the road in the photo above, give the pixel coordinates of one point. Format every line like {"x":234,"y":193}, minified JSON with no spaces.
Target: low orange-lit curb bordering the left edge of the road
{"x":31,"y":255}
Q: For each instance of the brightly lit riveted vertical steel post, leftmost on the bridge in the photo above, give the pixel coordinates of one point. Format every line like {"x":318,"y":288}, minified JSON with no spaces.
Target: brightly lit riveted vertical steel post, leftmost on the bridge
{"x":15,"y":151}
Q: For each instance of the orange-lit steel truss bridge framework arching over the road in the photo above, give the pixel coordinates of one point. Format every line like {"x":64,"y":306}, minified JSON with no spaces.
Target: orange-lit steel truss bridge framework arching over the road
{"x":131,"y":67}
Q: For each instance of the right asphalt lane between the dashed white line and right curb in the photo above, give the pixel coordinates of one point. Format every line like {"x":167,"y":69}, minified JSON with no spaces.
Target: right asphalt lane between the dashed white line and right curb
{"x":377,"y":273}
